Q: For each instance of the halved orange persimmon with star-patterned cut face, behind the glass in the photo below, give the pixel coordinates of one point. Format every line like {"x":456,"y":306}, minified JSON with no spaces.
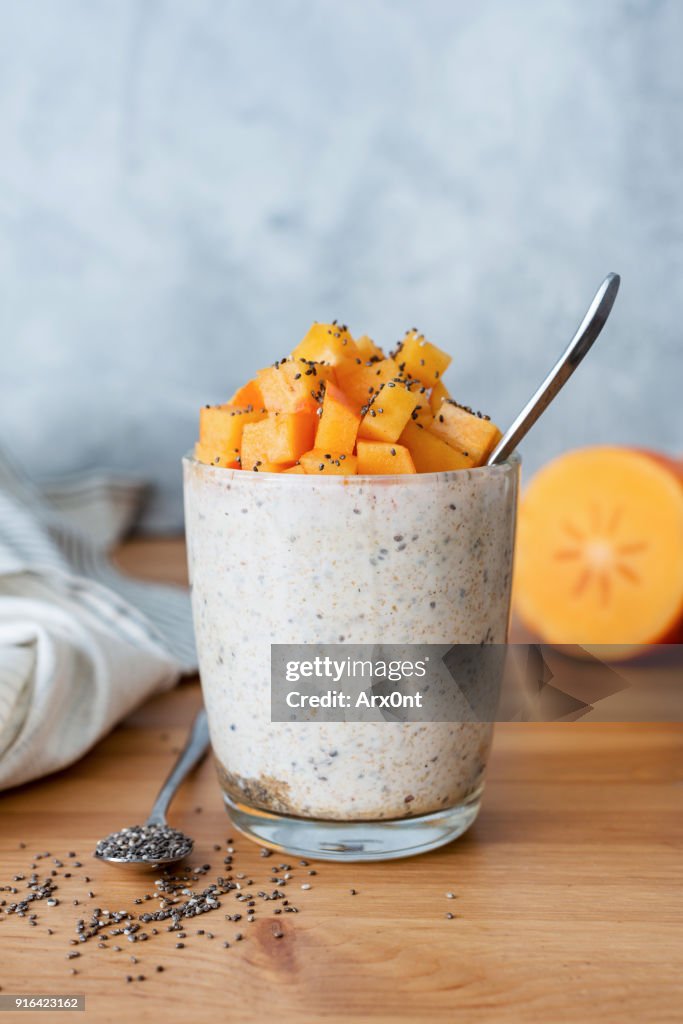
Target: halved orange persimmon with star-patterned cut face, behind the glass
{"x":600,"y":558}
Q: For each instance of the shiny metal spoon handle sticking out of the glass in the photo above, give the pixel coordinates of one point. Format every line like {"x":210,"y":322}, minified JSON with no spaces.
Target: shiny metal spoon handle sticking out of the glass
{"x":588,"y":332}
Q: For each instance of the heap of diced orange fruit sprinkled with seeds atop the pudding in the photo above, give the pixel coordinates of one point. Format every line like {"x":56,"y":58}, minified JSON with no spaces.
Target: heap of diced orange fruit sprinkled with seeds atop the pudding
{"x":333,"y":394}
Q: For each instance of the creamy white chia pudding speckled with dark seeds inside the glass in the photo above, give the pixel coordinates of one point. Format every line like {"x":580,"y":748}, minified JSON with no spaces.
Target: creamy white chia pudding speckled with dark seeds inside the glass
{"x":425,"y":559}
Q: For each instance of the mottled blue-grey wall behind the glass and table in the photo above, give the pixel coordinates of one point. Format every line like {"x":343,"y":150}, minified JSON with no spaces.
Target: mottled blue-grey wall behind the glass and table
{"x":186,"y":186}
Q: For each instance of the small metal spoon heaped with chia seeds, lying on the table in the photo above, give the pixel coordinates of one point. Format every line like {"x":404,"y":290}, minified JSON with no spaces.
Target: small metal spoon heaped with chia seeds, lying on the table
{"x":156,"y":843}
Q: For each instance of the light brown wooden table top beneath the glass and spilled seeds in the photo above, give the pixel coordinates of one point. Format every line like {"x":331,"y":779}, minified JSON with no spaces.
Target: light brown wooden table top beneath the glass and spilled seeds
{"x":569,"y":889}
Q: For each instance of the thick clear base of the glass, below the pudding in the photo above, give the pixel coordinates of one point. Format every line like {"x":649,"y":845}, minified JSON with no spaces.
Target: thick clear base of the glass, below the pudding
{"x":355,"y":840}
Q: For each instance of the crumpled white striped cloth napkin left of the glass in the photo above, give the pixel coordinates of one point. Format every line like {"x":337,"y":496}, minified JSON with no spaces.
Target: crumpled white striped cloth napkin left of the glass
{"x":81,"y":646}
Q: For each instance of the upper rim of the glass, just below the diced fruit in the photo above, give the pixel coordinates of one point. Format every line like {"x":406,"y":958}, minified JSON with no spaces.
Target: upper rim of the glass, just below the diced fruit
{"x":511,"y":464}
